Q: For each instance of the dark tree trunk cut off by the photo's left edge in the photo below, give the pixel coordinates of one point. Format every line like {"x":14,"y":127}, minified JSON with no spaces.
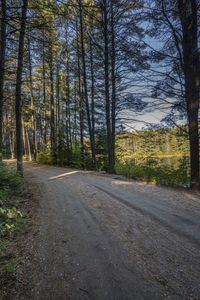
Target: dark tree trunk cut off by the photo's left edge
{"x":2,"y":67}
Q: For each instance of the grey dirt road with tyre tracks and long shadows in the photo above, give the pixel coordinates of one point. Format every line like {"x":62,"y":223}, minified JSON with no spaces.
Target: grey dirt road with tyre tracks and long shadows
{"x":102,"y":237}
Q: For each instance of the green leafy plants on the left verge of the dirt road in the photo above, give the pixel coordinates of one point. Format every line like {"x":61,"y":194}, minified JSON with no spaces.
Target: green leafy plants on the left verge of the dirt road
{"x":12,"y":220}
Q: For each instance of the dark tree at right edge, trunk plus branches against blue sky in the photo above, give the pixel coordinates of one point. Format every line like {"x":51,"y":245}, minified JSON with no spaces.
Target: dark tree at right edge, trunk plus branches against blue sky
{"x":177,"y":85}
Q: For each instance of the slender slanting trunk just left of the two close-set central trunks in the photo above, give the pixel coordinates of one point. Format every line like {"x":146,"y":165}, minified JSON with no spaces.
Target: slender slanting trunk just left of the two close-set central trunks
{"x":92,"y":142}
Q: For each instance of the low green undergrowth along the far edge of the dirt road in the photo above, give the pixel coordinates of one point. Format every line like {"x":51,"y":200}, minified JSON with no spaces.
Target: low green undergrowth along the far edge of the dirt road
{"x":150,"y":171}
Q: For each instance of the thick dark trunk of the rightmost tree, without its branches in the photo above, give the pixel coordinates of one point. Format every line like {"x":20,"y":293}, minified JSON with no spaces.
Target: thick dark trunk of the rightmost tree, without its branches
{"x":188,"y":17}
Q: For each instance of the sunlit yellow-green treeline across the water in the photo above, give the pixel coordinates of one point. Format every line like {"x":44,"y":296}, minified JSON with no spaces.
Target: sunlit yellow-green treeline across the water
{"x":152,"y":143}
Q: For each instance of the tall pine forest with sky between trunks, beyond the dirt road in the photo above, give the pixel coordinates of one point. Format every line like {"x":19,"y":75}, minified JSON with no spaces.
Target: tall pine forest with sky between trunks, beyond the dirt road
{"x":75,"y":76}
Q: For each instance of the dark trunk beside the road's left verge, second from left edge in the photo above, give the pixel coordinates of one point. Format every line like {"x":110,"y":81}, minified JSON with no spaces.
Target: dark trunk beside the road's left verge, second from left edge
{"x":18,"y":100}
